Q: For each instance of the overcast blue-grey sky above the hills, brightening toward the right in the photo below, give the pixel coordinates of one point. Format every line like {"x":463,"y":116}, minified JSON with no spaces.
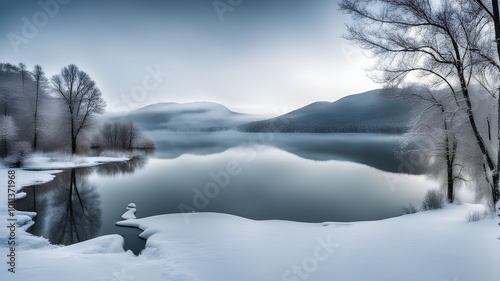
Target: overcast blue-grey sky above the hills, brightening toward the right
{"x":268,"y":56}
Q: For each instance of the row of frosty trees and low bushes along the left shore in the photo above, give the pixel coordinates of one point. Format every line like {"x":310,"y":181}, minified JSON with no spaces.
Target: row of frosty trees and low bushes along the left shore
{"x":56,"y":114}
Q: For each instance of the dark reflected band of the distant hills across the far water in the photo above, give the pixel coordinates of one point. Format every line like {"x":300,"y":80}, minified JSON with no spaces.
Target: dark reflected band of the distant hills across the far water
{"x":375,"y":150}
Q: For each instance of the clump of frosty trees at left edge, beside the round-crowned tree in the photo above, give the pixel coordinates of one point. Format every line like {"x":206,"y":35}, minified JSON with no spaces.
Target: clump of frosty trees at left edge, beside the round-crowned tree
{"x":24,"y":96}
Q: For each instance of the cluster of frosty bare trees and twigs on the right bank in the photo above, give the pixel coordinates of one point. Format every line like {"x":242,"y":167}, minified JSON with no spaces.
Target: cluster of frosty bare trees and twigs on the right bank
{"x":446,"y":56}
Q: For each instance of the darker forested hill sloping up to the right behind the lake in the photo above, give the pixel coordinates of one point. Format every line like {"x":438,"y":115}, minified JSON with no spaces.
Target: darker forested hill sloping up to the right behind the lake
{"x":365,"y":112}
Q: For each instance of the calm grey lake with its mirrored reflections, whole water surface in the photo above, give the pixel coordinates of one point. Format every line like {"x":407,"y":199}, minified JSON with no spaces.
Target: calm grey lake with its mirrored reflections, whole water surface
{"x":298,"y":177}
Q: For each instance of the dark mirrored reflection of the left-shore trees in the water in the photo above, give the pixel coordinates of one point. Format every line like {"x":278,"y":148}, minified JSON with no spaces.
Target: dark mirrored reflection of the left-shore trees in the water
{"x":69,"y":207}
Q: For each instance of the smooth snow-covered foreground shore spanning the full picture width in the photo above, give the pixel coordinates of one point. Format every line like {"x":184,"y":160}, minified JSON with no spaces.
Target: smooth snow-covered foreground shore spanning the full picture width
{"x":433,"y":245}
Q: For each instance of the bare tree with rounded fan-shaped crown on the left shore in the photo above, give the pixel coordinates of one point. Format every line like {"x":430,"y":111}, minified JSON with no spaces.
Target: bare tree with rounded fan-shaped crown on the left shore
{"x":81,"y":97}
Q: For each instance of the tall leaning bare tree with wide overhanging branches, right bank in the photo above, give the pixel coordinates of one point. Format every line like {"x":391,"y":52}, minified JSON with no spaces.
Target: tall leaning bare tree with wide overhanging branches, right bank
{"x":425,"y":39}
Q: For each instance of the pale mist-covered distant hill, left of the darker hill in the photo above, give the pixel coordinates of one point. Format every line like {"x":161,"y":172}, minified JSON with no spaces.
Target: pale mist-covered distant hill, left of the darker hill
{"x":193,"y":116}
